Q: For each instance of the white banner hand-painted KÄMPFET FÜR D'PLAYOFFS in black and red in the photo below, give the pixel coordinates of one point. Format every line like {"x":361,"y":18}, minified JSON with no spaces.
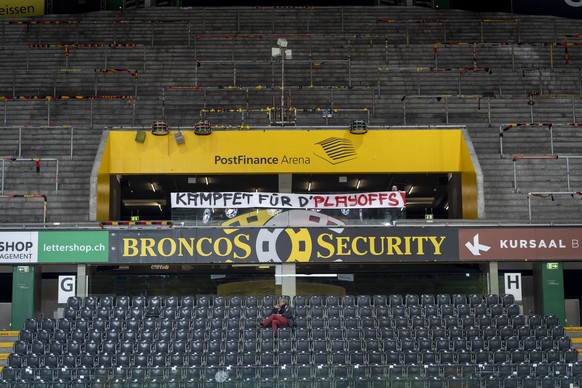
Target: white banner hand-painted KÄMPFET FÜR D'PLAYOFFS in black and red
{"x":383,"y":199}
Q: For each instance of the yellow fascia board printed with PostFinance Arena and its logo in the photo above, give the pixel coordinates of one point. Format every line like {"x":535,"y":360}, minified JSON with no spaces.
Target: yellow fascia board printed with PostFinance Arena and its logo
{"x":290,"y":151}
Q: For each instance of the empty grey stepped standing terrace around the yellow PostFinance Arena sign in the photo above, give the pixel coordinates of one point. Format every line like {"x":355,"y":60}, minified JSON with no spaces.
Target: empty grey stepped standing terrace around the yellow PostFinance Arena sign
{"x":388,"y":65}
